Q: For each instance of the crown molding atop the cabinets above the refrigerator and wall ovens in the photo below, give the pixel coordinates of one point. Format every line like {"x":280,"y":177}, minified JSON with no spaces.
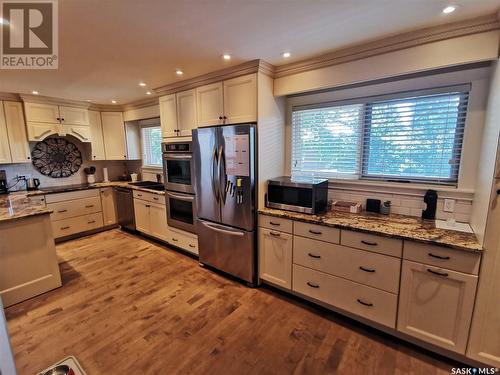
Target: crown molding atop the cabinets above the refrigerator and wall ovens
{"x":249,"y":67}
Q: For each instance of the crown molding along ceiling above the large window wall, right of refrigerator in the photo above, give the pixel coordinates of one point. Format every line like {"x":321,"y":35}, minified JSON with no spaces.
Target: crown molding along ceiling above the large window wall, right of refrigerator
{"x":390,"y":44}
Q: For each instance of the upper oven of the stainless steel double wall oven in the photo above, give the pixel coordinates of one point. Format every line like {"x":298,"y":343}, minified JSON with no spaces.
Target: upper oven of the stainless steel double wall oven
{"x":177,"y":166}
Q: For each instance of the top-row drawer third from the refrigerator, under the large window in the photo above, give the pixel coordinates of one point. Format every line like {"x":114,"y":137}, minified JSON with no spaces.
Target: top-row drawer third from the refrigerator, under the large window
{"x":372,"y":242}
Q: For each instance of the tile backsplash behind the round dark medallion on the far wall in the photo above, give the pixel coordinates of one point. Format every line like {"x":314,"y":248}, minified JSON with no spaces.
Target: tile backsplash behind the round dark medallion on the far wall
{"x":115,"y":169}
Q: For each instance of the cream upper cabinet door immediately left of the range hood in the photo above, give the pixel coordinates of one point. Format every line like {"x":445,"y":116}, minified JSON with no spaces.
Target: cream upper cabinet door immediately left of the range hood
{"x":16,"y":127}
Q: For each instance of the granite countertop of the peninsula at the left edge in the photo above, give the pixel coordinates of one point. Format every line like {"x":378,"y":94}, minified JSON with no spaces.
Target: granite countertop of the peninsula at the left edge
{"x":18,"y":205}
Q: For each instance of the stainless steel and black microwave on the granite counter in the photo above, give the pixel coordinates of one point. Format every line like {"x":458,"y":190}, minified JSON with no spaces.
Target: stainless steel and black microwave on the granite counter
{"x":305,"y":195}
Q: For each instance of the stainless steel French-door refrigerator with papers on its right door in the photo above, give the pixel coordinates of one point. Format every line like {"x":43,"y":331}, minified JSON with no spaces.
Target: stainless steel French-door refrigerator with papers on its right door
{"x":225,"y":173}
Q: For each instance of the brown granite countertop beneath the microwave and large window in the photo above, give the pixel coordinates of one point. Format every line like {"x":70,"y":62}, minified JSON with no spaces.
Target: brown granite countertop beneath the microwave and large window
{"x":396,"y":226}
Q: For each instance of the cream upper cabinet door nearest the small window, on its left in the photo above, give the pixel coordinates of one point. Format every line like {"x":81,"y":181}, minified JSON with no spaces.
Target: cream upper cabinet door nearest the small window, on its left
{"x":113,"y":130}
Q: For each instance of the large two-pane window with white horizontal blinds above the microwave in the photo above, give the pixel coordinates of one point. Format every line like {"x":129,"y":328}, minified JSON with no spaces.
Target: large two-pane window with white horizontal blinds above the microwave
{"x":399,"y":137}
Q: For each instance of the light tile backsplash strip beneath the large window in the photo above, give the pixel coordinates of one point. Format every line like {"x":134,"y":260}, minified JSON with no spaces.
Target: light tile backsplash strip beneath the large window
{"x":405,"y":204}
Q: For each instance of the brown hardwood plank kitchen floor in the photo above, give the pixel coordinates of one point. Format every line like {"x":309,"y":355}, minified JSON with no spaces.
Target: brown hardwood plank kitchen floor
{"x":128,"y":305}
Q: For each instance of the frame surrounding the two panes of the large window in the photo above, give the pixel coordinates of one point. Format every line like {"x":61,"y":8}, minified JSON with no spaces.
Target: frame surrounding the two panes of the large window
{"x":363,"y":151}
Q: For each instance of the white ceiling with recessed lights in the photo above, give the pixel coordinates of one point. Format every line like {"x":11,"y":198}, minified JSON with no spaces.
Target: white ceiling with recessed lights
{"x":107,"y":46}
